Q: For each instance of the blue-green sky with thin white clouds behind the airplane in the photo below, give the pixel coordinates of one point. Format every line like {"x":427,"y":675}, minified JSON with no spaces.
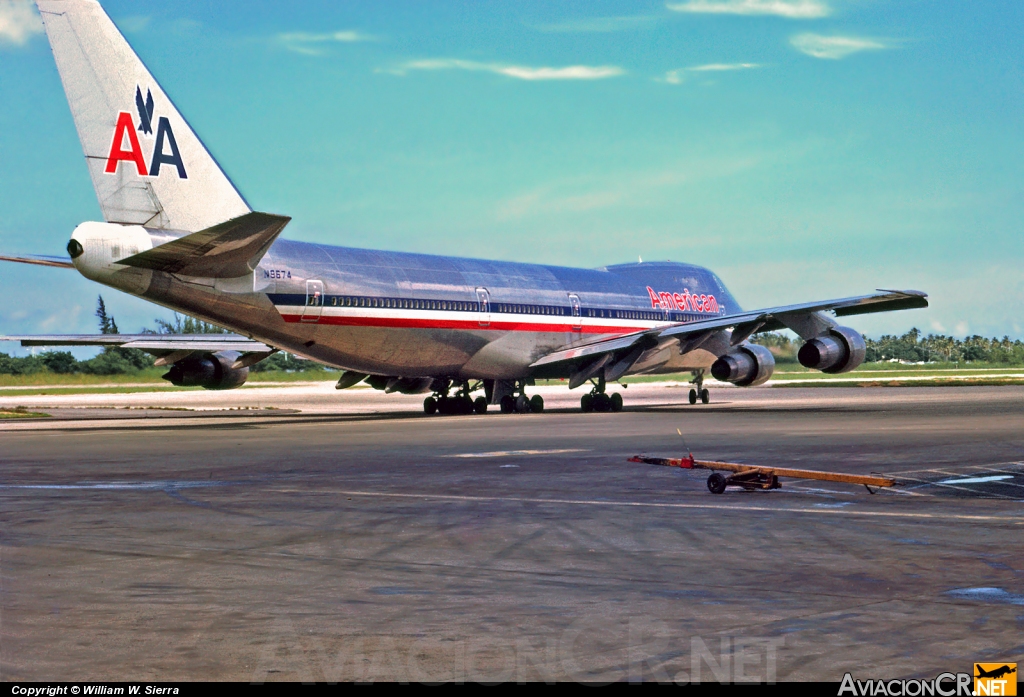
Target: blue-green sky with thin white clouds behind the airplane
{"x":802,"y":149}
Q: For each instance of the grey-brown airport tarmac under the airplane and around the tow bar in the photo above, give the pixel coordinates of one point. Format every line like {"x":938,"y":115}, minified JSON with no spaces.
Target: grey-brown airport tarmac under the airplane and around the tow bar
{"x":304,"y":534}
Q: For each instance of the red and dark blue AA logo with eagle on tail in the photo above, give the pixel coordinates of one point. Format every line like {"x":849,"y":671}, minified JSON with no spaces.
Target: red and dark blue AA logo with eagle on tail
{"x":126,"y":147}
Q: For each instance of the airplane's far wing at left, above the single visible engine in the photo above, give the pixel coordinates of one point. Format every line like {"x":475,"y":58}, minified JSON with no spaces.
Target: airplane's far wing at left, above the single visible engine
{"x":157,"y":344}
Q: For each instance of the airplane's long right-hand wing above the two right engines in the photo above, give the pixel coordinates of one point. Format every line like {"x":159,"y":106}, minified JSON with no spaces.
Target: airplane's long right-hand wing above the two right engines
{"x":744,"y":325}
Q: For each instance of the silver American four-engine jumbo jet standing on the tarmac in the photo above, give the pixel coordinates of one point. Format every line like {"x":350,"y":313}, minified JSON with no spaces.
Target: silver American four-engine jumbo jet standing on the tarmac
{"x":178,"y":233}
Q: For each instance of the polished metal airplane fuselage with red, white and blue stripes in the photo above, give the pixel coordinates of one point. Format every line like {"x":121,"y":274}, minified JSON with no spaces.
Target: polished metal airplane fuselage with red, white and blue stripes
{"x":413,"y":316}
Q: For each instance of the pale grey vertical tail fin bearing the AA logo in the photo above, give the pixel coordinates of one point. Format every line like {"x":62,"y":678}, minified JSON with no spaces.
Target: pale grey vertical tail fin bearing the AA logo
{"x":148,"y":166}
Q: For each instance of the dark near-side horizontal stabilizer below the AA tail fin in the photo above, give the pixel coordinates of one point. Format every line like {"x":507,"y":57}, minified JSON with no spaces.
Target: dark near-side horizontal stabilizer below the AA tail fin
{"x":229,"y":250}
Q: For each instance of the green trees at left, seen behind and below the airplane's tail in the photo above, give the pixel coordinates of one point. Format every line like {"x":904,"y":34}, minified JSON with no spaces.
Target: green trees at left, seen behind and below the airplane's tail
{"x":119,"y":361}
